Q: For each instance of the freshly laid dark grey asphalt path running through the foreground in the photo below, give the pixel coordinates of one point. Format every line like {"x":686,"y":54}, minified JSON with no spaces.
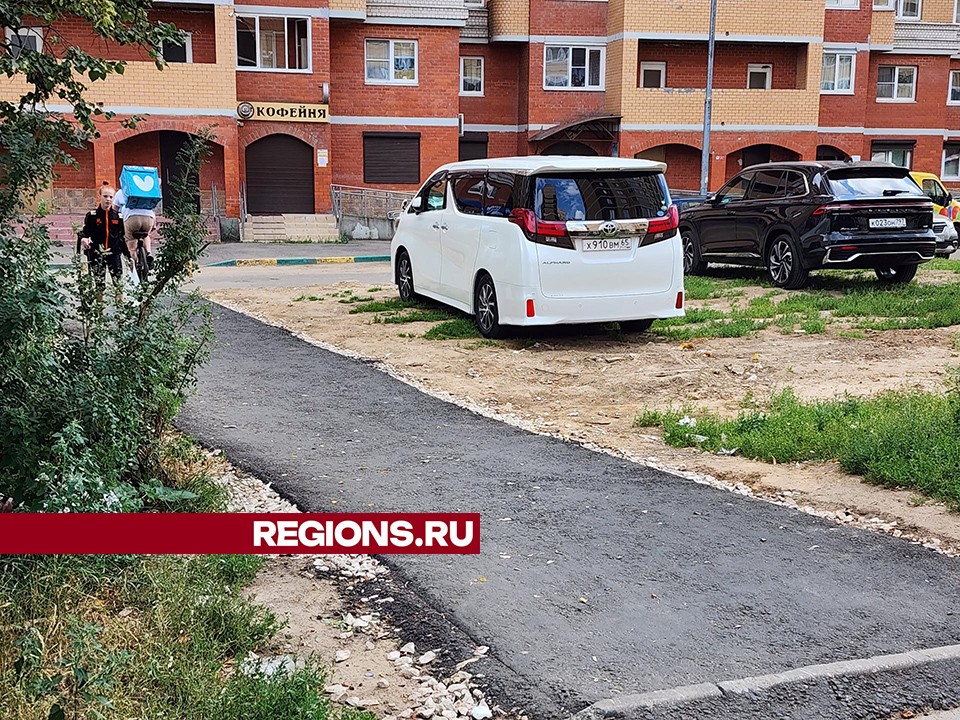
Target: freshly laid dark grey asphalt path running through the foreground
{"x":598,"y":578}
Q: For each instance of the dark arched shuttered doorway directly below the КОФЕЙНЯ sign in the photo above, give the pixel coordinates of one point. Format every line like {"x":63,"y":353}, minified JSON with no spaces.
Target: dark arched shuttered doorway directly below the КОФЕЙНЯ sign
{"x":279,"y":176}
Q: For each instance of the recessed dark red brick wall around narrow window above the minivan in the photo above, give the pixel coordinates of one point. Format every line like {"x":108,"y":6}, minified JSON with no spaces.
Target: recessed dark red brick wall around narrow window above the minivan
{"x":501,"y":77}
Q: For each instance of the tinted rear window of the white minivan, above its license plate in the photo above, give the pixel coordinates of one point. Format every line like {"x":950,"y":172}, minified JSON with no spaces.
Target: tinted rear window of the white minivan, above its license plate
{"x":600,"y":196}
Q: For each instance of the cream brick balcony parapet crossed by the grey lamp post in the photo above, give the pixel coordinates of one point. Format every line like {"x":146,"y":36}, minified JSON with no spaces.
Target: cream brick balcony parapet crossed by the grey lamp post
{"x":736,"y":108}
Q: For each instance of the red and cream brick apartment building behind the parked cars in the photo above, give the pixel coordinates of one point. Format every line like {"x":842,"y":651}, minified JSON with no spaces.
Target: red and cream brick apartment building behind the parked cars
{"x":302,"y":94}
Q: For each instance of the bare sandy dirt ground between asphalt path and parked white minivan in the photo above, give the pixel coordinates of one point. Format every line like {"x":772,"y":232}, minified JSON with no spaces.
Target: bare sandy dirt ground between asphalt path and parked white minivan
{"x":589,"y":386}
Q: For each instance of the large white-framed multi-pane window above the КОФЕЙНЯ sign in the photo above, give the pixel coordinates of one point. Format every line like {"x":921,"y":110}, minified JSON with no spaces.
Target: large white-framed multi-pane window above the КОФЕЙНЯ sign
{"x":272,"y":43}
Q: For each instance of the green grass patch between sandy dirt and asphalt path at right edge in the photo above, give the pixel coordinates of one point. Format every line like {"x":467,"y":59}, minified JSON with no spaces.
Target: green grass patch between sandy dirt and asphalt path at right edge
{"x":895,"y":439}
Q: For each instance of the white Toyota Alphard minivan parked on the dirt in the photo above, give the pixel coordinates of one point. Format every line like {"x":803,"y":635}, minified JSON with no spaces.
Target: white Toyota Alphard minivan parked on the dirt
{"x":543,"y":240}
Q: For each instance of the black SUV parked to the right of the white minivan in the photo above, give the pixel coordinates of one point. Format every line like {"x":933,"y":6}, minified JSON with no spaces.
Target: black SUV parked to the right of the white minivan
{"x":794,"y":217}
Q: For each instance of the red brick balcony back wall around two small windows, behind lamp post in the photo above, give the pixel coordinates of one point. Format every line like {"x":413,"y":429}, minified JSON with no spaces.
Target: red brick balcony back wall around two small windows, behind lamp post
{"x":687,"y":63}
